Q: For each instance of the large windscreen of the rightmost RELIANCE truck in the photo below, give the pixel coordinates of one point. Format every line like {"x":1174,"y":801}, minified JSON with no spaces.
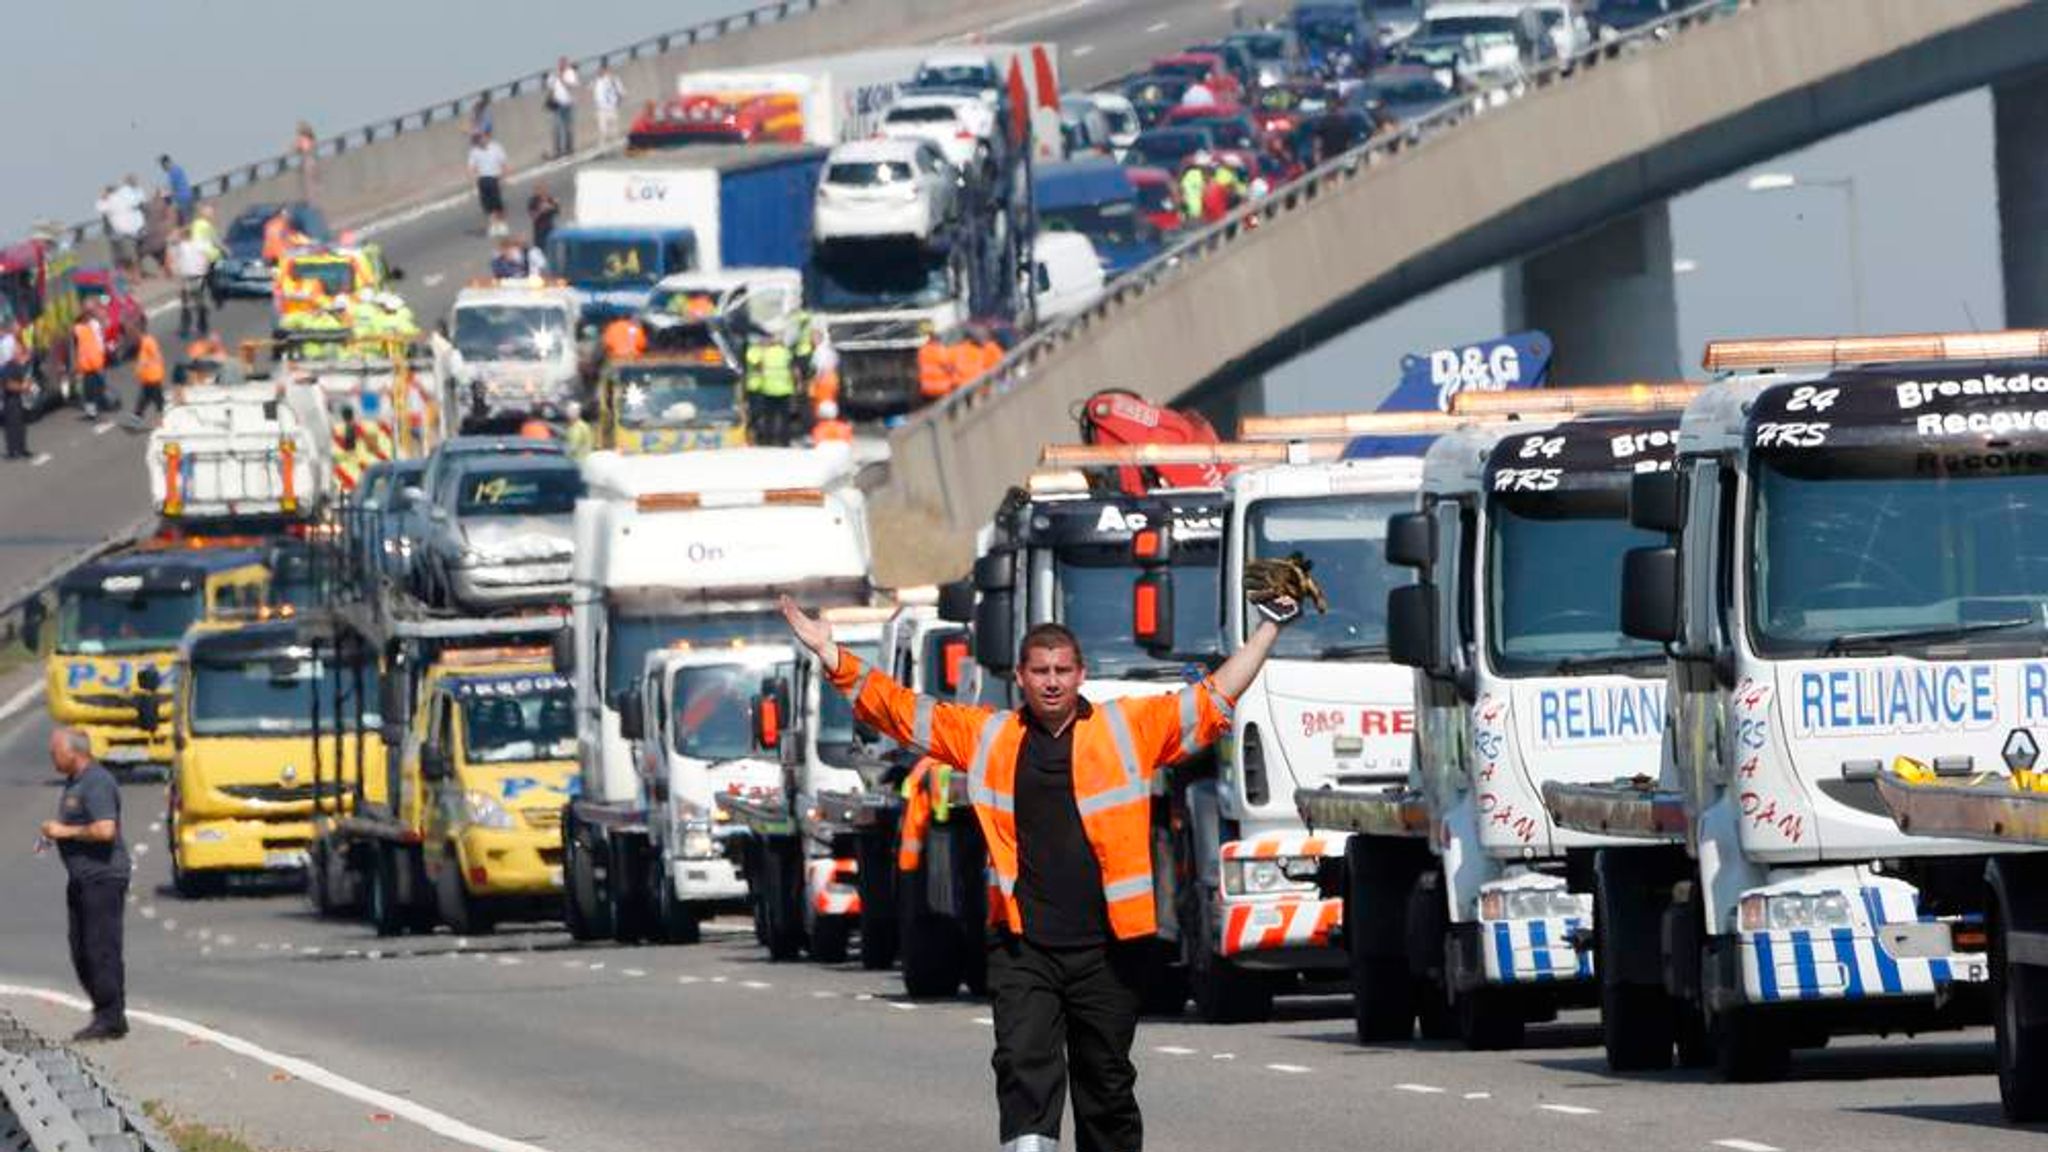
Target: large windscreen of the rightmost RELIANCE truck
{"x":1910,"y":546}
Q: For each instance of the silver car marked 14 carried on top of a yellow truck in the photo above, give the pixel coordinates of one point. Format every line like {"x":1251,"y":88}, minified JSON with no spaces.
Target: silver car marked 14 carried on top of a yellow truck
{"x":501,"y":534}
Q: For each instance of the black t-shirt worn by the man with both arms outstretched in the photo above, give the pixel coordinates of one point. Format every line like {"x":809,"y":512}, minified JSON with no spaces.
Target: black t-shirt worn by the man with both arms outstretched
{"x":1060,"y":882}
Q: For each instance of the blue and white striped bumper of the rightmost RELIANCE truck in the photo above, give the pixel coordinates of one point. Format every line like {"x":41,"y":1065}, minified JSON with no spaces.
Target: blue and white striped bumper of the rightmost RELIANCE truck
{"x":1850,"y":964}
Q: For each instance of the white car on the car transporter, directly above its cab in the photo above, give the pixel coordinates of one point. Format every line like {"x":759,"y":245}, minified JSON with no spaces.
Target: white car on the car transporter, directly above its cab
{"x":886,"y":188}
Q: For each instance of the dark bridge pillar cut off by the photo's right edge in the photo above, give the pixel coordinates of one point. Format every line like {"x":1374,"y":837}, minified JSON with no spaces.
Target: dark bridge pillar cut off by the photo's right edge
{"x":2020,"y":155}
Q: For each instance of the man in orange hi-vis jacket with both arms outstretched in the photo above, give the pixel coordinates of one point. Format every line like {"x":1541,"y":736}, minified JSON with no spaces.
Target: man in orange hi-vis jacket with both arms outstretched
{"x":1064,"y":796}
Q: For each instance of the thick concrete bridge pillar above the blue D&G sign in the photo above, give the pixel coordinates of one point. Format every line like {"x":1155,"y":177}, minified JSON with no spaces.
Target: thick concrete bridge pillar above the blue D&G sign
{"x":1607,"y":298}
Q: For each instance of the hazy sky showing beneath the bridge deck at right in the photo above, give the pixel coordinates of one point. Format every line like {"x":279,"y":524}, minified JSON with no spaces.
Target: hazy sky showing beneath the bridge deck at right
{"x":1762,"y":263}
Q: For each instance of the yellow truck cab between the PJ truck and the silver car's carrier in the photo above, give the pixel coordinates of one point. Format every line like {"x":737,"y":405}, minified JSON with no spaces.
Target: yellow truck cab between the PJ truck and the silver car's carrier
{"x":251,"y":762}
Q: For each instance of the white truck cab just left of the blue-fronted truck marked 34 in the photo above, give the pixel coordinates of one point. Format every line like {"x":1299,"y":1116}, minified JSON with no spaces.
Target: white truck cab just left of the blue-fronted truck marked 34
{"x":515,"y":352}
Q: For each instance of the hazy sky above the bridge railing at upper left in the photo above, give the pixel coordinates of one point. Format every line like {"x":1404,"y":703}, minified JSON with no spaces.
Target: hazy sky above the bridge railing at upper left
{"x":99,"y":89}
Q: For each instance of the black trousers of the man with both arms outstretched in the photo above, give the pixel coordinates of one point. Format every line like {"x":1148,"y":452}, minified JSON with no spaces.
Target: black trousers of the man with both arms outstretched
{"x":1066,"y":1016}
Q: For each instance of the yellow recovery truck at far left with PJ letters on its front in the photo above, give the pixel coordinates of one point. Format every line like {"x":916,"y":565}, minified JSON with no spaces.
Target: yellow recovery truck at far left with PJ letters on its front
{"x":110,"y":661}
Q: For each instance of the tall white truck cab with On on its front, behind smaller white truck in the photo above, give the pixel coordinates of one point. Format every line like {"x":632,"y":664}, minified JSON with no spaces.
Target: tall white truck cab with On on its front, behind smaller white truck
{"x":683,"y":548}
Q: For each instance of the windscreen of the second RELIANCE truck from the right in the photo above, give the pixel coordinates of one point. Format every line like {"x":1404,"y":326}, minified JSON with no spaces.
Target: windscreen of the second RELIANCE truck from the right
{"x":1555,"y":581}
